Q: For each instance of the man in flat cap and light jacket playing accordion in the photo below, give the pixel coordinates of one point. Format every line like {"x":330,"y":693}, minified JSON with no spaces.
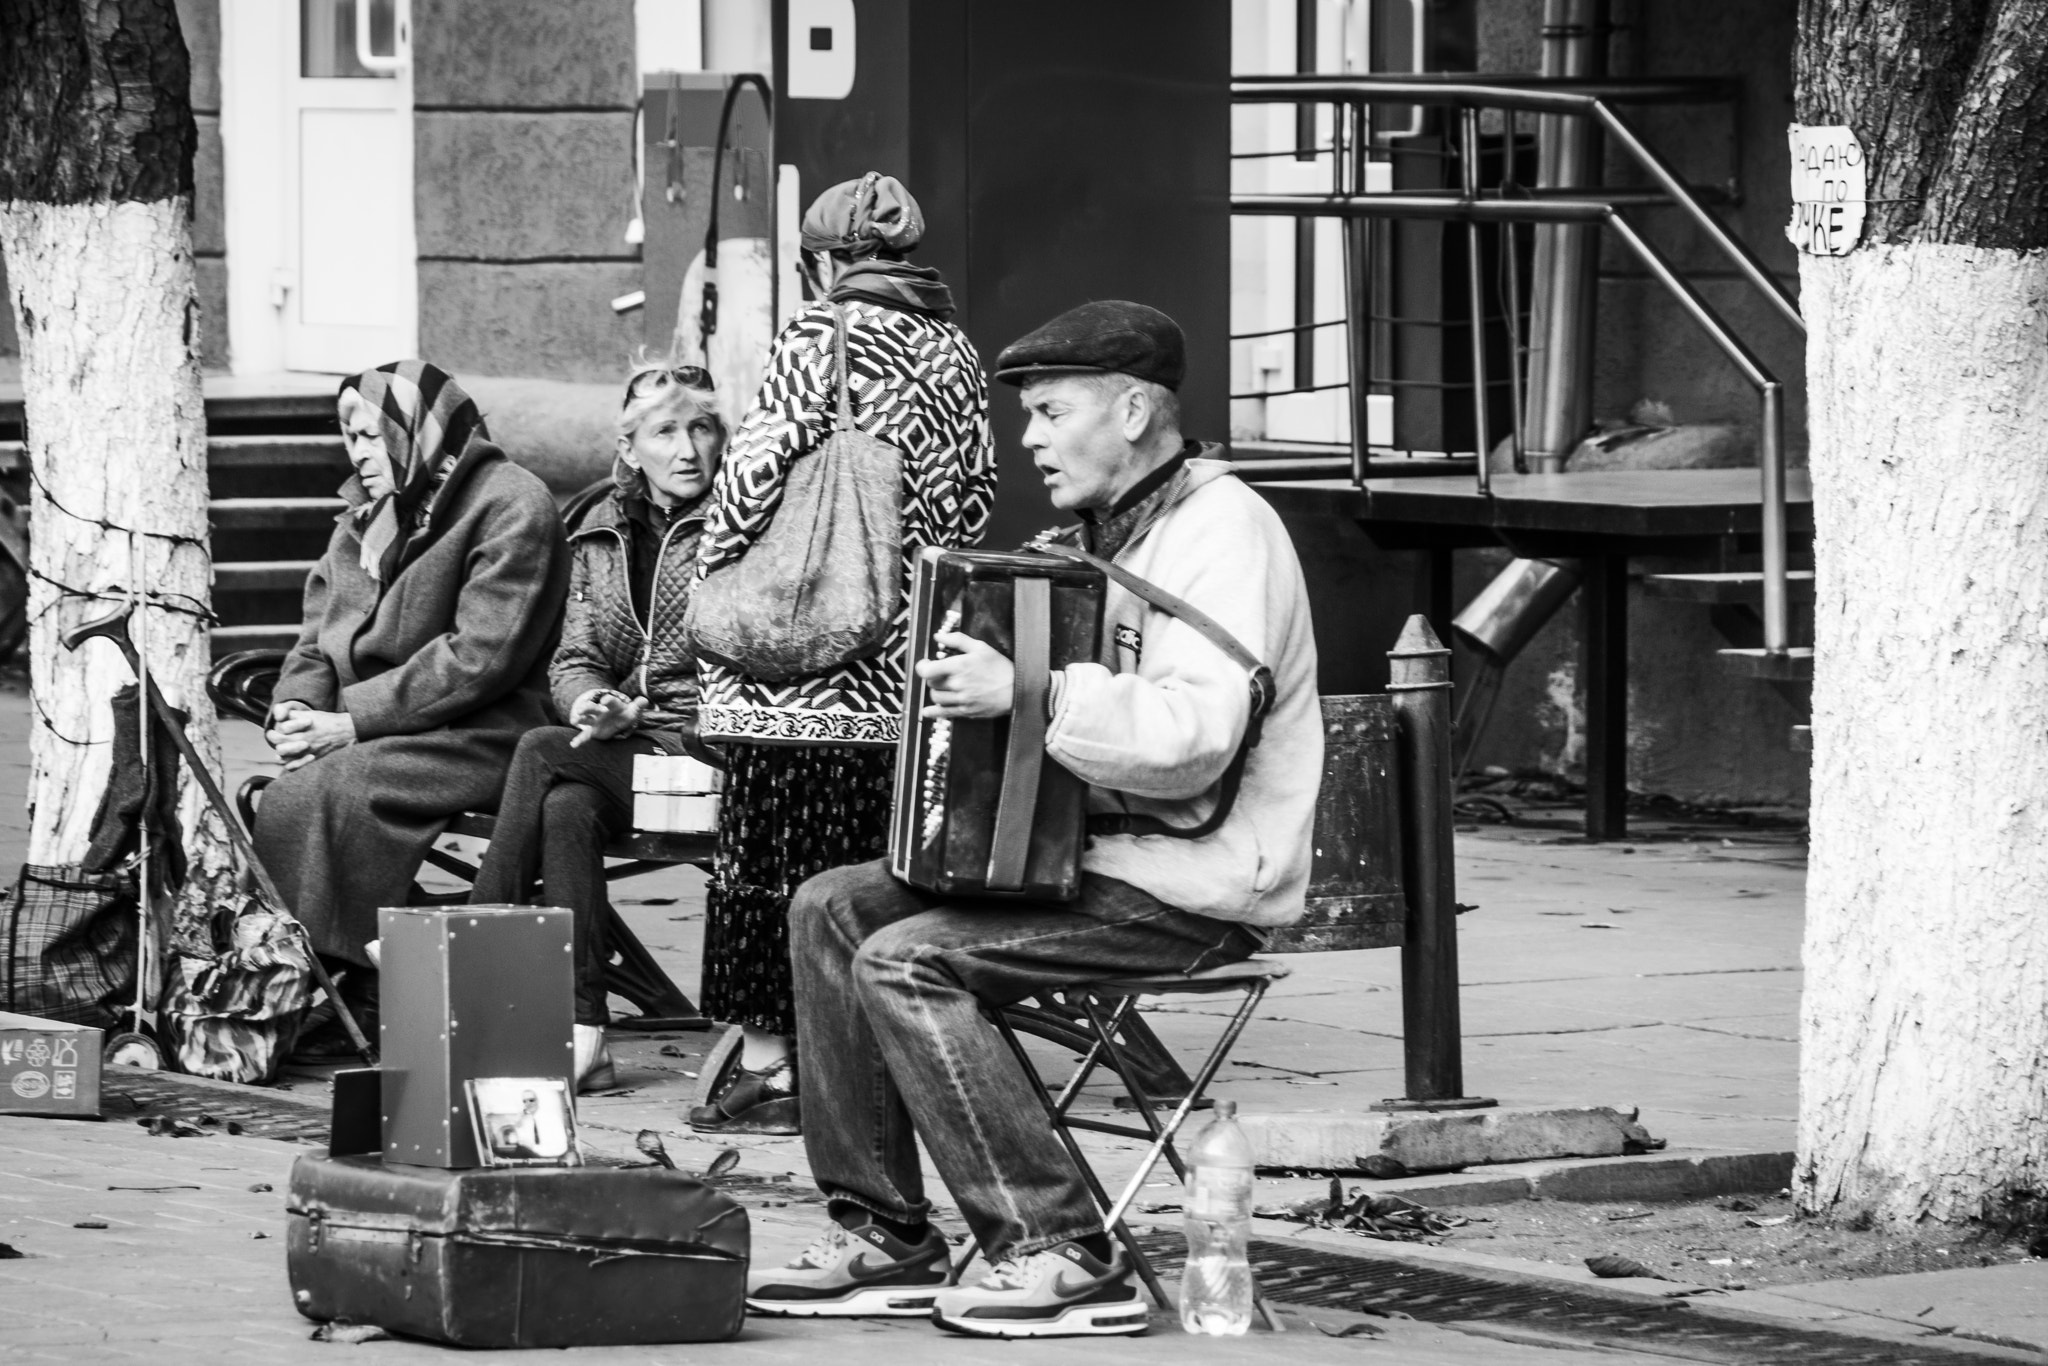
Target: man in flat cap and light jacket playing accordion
{"x":892,"y":982}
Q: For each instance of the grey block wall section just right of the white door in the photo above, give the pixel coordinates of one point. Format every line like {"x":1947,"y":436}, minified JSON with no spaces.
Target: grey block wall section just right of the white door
{"x":523,"y":138}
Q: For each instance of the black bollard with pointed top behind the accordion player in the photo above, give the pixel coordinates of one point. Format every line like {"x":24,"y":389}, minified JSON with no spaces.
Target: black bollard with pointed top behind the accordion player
{"x":1431,"y":1033}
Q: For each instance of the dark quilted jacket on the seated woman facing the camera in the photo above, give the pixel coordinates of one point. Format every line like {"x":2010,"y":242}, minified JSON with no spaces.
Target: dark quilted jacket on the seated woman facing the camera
{"x":605,"y":642}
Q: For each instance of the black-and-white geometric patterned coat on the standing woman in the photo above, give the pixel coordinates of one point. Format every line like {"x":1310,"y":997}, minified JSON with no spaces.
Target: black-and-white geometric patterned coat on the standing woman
{"x":919,"y":386}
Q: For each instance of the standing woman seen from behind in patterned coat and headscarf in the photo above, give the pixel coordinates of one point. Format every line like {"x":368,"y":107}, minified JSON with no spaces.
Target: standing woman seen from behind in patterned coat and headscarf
{"x":810,"y":763}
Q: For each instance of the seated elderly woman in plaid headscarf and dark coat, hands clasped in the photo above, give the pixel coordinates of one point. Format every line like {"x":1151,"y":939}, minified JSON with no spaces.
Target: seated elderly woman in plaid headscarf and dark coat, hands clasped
{"x":421,"y":663}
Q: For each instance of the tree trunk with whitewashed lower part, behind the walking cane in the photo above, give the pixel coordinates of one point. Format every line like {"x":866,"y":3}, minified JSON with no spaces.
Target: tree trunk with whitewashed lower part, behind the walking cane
{"x":95,"y":204}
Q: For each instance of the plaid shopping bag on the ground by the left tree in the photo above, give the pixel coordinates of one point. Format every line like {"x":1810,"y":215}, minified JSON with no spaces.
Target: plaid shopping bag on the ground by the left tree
{"x":71,"y":945}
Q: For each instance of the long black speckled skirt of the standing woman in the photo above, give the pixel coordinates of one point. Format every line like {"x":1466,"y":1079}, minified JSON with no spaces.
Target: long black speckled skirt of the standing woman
{"x":790,"y":814}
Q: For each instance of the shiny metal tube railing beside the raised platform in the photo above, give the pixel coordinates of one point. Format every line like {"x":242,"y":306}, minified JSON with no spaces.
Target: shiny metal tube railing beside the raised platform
{"x":1471,"y":208}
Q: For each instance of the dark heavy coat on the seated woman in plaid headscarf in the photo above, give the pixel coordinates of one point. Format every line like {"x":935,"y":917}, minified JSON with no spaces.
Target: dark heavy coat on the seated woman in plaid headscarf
{"x":464,"y":632}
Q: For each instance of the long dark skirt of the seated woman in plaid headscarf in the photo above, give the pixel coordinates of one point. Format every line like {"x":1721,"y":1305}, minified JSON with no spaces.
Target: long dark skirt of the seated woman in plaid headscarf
{"x":345,"y":835}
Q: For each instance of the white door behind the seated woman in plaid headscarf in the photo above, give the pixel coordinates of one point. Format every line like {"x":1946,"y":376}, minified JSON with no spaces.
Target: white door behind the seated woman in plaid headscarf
{"x":349,"y":265}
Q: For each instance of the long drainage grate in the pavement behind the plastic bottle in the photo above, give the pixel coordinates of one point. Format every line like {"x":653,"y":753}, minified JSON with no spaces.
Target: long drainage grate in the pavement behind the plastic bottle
{"x":1369,"y":1285}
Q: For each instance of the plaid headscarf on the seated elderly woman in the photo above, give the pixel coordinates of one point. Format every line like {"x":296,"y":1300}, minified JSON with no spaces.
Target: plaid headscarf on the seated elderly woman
{"x":427,"y":427}
